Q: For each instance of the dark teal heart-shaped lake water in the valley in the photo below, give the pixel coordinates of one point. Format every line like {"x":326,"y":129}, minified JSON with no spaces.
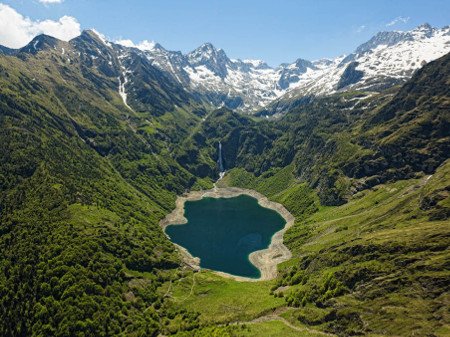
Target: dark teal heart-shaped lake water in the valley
{"x":223,"y":232}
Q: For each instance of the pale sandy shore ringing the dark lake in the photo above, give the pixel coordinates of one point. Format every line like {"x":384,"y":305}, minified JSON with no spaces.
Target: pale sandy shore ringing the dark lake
{"x":265,"y":260}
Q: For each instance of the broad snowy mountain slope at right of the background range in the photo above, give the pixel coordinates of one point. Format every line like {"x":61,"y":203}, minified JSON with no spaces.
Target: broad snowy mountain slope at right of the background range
{"x":388,"y":59}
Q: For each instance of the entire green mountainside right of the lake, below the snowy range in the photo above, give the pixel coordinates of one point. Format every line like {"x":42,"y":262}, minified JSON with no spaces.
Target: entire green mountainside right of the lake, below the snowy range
{"x":368,"y":183}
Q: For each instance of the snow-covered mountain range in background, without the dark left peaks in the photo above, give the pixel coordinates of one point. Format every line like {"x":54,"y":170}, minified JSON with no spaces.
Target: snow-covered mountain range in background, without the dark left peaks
{"x":251,"y":86}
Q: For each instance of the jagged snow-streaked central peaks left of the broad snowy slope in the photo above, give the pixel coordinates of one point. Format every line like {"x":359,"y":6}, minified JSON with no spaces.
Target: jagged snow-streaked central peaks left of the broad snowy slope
{"x":209,"y":74}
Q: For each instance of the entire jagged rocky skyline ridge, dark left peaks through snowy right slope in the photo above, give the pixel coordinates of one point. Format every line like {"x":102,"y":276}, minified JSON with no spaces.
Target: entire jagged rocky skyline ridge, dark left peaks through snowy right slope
{"x":207,"y":74}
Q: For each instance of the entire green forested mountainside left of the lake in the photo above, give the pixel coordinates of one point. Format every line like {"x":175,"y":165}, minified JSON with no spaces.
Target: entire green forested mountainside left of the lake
{"x":83,"y":185}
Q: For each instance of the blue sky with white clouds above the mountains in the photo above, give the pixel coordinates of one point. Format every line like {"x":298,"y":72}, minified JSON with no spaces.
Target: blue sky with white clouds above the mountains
{"x":275,"y":31}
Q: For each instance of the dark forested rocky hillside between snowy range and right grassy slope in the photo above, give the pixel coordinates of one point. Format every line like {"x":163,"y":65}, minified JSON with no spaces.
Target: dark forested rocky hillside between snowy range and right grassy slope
{"x":347,"y":142}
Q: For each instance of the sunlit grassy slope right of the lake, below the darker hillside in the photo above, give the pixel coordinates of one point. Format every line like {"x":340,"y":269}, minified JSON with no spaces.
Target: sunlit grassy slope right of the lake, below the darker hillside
{"x":376,"y":265}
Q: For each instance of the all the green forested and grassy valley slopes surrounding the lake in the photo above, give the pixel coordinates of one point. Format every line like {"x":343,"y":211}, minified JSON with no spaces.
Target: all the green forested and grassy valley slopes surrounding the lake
{"x":85,"y":180}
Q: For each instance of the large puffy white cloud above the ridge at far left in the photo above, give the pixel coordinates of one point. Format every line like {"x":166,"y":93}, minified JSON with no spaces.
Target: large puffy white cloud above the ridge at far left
{"x":16,"y":30}
